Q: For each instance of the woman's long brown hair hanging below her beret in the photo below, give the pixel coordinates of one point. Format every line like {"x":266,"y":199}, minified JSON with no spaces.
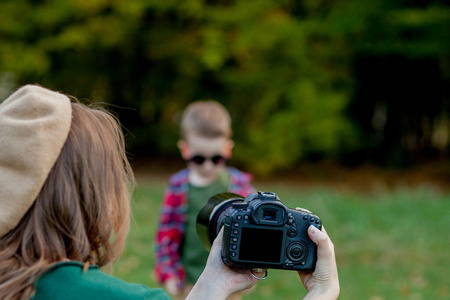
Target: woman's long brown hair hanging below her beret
{"x":82,"y":205}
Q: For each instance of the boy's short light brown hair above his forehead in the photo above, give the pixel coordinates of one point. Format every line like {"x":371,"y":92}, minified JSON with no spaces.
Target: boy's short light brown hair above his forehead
{"x":206,"y":119}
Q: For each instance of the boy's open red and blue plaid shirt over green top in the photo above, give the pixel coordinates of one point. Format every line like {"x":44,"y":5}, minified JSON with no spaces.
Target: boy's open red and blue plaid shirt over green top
{"x":173,"y":219}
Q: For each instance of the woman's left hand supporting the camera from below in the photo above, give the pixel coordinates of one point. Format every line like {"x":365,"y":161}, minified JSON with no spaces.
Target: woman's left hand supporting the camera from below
{"x":218,"y":281}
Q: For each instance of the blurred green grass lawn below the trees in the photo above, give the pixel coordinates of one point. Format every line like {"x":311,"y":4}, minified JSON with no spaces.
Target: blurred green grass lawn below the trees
{"x":389,"y":245}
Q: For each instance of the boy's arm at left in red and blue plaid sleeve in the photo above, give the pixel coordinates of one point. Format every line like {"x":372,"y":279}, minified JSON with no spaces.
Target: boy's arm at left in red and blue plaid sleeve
{"x":168,"y":239}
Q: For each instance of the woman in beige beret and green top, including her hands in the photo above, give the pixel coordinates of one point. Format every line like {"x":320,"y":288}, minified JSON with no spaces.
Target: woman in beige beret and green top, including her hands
{"x":65,"y":187}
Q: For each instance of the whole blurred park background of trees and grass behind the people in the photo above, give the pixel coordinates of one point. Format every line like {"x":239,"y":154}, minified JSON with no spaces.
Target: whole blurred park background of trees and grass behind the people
{"x":342,"y":107}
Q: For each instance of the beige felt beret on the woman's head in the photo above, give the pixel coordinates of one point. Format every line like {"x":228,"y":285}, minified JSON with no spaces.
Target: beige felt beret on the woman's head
{"x":34,"y":124}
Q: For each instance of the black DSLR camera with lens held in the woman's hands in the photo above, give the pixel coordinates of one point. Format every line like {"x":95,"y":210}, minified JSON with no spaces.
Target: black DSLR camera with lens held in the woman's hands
{"x":259,"y":231}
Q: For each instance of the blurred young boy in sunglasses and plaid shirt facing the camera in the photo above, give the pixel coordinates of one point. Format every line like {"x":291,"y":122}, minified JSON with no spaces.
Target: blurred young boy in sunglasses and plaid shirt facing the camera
{"x":205,"y":146}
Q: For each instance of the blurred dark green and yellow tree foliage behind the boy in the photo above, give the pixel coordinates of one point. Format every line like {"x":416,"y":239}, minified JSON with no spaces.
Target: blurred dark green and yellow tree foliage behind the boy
{"x":286,"y":70}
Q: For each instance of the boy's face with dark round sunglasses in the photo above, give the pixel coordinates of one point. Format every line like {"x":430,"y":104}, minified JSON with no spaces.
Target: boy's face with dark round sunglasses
{"x":206,"y":156}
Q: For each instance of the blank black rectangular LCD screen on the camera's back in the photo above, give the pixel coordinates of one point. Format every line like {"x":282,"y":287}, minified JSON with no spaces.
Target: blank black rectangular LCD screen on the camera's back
{"x":263,"y":245}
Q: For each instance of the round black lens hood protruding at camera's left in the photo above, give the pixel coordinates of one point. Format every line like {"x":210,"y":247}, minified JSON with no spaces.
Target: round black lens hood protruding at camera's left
{"x":207,"y":227}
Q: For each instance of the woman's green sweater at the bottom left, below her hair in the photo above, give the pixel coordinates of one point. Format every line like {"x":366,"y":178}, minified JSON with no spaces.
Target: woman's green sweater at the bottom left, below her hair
{"x":67,"y":281}
